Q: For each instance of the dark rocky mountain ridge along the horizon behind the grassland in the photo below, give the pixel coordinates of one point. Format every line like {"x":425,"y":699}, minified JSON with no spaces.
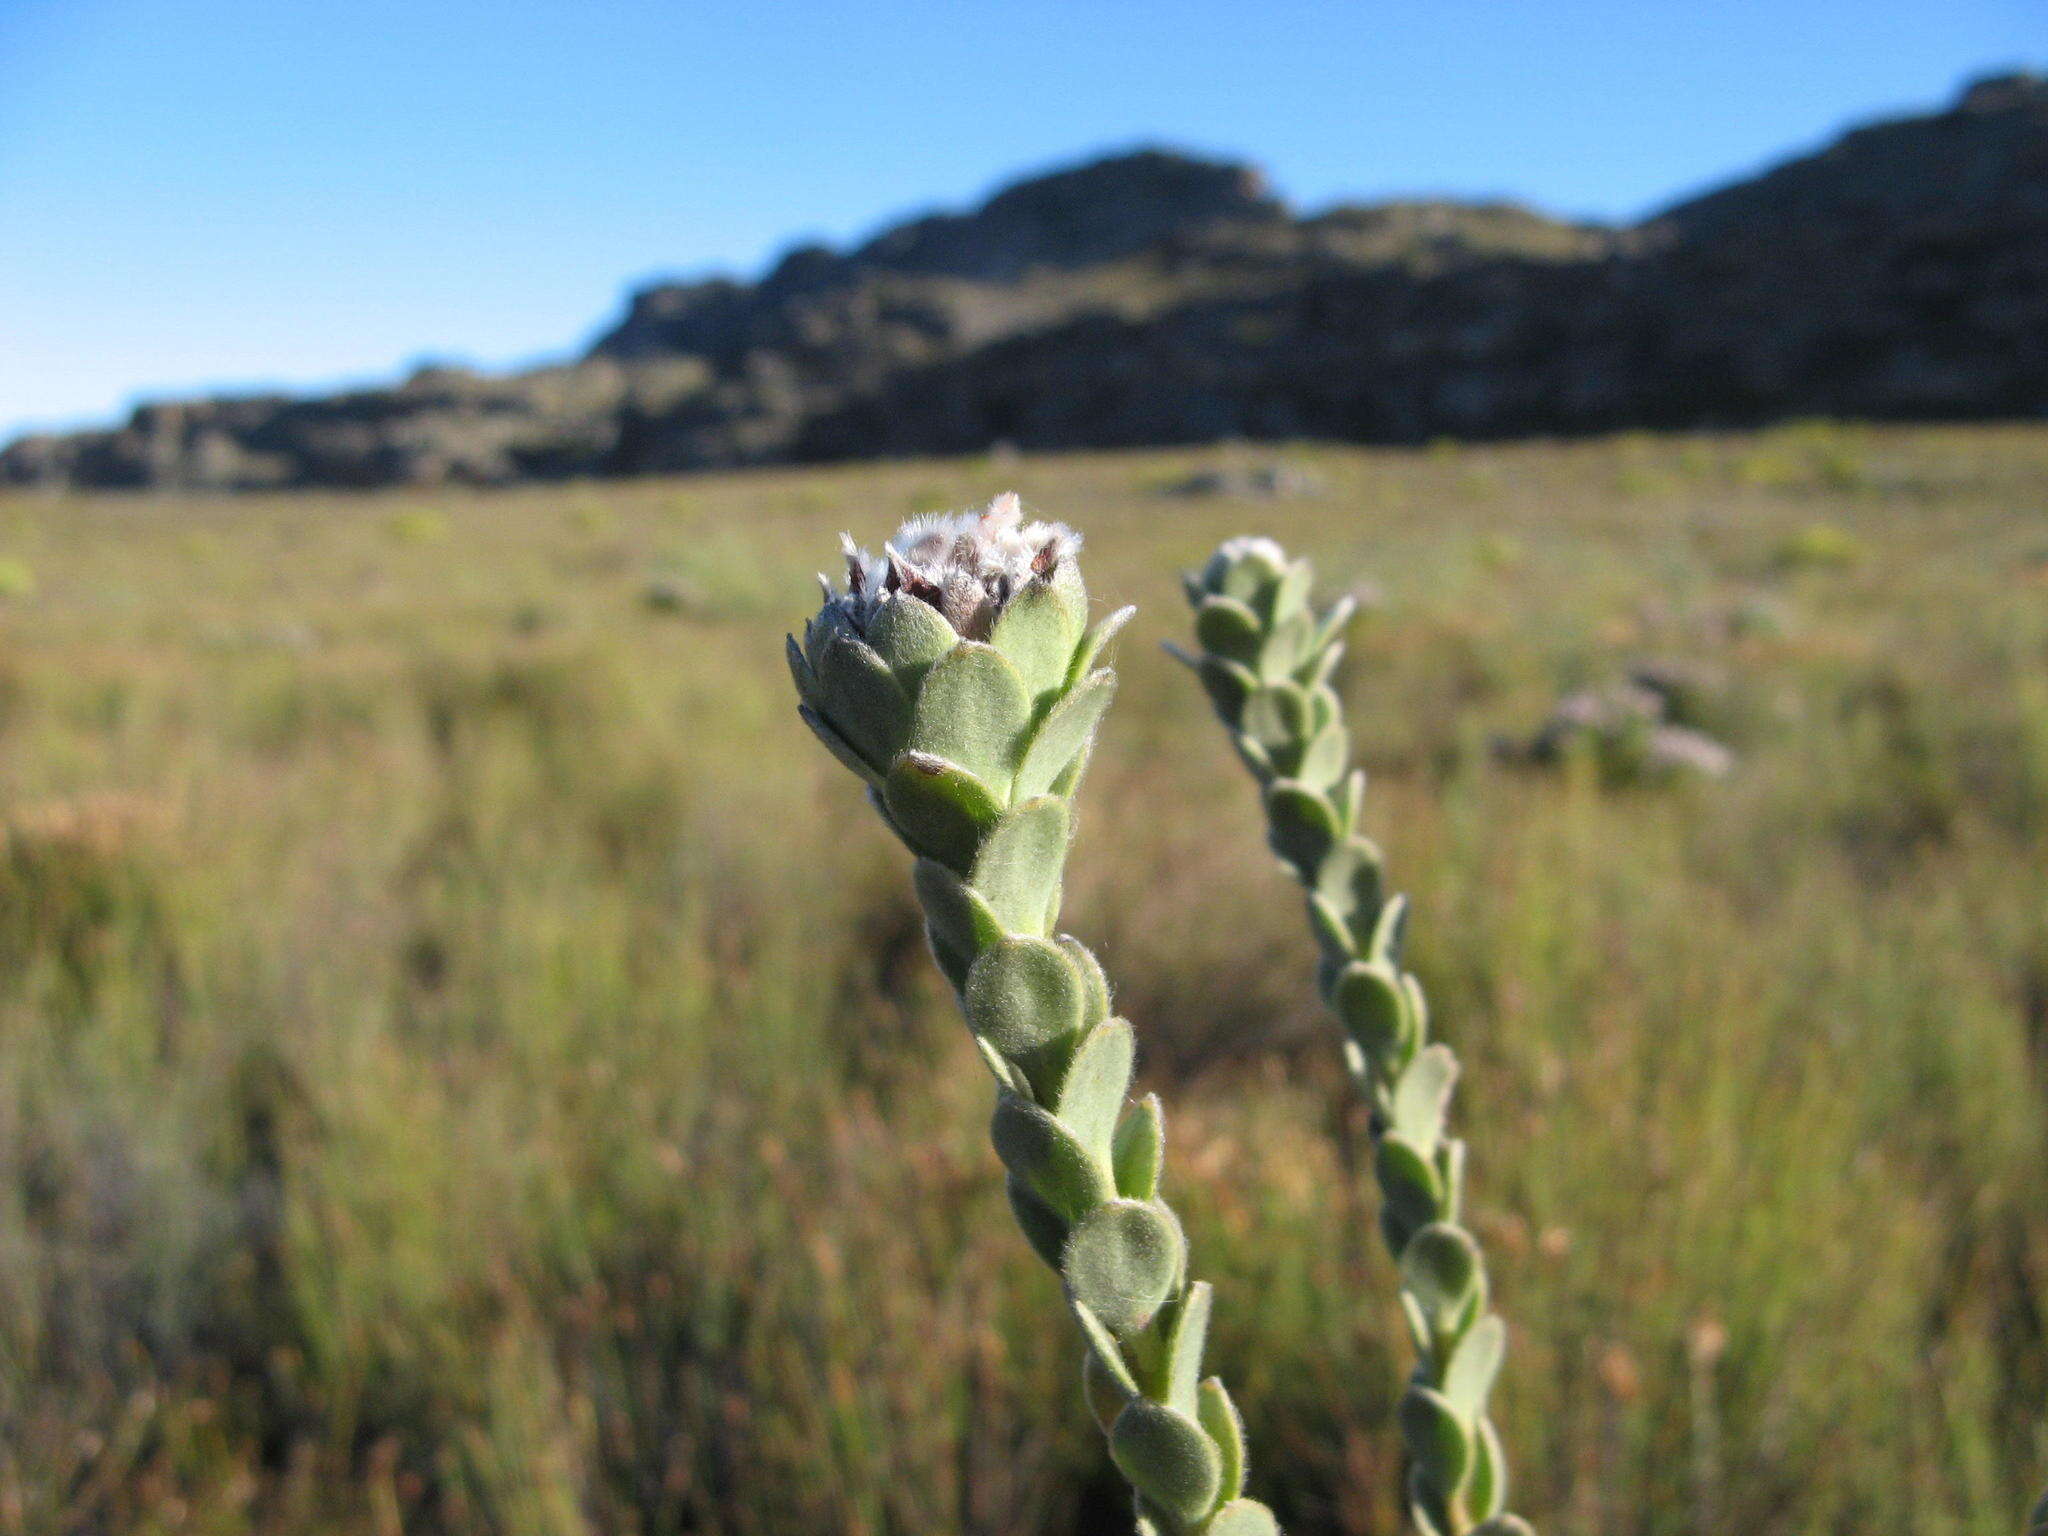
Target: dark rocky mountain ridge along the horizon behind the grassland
{"x":1154,"y":298}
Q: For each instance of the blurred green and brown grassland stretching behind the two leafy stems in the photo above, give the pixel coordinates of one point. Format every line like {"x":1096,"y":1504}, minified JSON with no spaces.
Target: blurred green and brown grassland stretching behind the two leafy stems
{"x":468,"y":1062}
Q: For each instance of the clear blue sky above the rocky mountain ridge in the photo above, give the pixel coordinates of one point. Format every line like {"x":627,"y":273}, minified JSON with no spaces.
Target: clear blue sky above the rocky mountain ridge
{"x":226,"y":194}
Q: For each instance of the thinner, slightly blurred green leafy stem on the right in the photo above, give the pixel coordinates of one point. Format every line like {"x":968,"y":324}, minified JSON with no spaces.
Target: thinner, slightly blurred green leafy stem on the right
{"x":1267,"y":663}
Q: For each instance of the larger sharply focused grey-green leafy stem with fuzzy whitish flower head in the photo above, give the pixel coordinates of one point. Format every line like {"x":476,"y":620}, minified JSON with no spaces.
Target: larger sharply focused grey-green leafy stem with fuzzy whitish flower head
{"x":959,"y":679}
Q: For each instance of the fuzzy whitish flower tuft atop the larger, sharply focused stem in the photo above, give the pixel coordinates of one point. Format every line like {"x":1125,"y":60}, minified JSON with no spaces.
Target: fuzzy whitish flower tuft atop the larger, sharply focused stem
{"x":966,"y":564}
